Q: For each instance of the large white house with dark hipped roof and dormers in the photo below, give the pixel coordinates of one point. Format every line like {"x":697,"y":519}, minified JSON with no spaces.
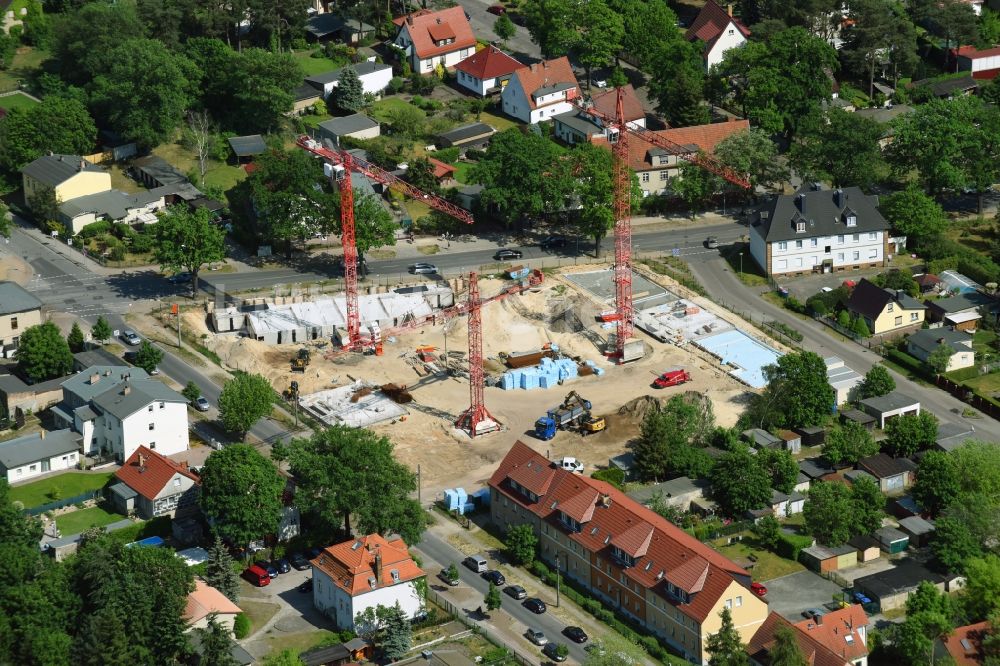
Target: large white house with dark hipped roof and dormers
{"x":819,"y":231}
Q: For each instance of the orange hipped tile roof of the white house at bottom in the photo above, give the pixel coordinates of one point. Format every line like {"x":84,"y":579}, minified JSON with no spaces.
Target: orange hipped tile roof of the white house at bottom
{"x":351,"y":565}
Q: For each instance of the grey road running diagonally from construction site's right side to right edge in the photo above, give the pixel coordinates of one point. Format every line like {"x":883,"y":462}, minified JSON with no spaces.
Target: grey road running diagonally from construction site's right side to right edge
{"x":718,"y":279}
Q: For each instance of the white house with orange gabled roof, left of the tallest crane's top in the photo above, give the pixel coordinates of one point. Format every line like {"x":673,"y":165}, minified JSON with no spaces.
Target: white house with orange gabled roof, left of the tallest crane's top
{"x":541,"y":91}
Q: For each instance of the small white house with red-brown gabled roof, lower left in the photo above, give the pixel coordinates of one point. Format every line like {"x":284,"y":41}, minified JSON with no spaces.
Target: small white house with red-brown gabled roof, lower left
{"x":151,"y":485}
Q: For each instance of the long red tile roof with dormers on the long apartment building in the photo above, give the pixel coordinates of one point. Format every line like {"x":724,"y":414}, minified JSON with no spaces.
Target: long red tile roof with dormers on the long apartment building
{"x":662,"y":549}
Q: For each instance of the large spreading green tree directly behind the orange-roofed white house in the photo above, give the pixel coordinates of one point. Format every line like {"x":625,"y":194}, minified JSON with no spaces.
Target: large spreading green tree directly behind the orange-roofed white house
{"x":343,"y":472}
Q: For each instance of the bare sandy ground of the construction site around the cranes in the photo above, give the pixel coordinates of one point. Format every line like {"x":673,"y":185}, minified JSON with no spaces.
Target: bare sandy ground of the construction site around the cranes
{"x":446,"y":457}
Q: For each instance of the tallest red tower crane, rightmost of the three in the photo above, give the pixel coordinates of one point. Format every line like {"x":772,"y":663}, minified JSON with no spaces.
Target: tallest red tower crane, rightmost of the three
{"x":619,"y":132}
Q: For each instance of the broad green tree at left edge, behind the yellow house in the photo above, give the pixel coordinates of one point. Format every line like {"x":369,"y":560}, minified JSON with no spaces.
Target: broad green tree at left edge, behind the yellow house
{"x":59,"y":124}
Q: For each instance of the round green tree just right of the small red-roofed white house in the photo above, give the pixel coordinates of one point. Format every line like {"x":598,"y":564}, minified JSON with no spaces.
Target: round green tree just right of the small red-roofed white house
{"x":241,"y":493}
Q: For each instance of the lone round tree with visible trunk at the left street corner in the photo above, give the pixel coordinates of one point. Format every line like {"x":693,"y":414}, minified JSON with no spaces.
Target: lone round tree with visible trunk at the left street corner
{"x":187,"y":240}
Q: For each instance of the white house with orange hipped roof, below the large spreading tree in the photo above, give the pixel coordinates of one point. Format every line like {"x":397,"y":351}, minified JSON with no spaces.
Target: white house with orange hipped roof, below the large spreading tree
{"x":362,"y":573}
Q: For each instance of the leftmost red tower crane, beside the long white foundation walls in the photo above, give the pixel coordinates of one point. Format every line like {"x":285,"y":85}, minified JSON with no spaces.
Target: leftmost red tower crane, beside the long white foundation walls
{"x":344,"y":163}
